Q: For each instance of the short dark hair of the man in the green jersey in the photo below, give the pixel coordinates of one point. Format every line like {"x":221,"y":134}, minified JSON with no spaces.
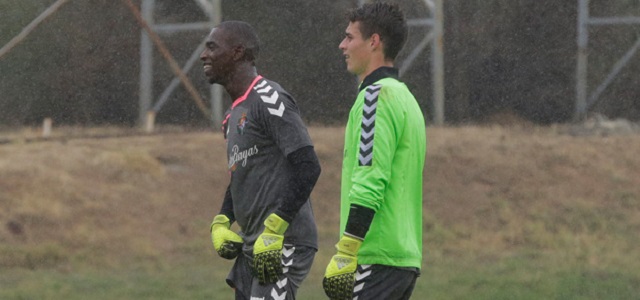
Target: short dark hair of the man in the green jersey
{"x":385,"y":19}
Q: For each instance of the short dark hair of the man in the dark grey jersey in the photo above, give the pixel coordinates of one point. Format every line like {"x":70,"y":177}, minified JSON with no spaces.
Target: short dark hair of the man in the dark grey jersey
{"x":242,"y":34}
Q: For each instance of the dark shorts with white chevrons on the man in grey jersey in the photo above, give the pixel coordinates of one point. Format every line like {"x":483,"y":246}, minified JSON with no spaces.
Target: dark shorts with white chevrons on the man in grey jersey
{"x":296,"y":263}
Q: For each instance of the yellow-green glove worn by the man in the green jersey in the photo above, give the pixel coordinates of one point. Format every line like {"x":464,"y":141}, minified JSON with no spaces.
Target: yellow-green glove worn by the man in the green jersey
{"x":339,"y":278}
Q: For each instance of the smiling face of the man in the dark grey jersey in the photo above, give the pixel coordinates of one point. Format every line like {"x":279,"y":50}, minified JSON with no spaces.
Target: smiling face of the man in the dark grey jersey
{"x":217,"y":57}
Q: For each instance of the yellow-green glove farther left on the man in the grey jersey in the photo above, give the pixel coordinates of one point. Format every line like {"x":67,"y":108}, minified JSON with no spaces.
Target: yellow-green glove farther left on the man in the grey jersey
{"x":227,"y":243}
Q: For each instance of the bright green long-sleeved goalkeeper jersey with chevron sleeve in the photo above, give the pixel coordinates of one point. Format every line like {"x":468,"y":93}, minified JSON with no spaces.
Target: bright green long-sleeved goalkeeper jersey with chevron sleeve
{"x":384,"y":153}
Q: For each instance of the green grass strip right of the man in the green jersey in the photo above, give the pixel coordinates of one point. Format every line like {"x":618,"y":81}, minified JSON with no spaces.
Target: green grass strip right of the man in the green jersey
{"x":523,"y":277}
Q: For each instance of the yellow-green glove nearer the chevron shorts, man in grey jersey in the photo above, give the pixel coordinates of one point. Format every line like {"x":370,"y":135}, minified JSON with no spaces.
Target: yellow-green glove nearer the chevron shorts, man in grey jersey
{"x":267,"y":251}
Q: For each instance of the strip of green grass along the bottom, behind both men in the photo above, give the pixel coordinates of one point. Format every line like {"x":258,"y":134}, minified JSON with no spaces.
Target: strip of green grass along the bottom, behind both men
{"x":520,"y":276}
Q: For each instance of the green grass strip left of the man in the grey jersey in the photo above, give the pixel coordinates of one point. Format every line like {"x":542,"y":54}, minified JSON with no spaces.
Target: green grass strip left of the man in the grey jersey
{"x":179,"y":282}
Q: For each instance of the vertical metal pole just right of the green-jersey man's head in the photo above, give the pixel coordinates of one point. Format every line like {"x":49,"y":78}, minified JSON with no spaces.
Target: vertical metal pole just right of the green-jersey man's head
{"x":438,"y":65}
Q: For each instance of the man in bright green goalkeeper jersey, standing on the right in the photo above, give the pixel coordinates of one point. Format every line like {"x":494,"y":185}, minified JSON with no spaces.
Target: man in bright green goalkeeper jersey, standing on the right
{"x":379,"y":254}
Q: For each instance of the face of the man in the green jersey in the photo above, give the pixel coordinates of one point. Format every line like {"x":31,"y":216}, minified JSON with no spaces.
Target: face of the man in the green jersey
{"x":356,"y":49}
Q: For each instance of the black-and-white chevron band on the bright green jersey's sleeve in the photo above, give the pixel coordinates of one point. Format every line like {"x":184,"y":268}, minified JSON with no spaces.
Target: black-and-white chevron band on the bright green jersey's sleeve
{"x":368,"y":125}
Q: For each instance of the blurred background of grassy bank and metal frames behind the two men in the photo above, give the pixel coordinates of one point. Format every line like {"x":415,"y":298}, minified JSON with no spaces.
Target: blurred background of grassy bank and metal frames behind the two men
{"x":531,"y":183}
